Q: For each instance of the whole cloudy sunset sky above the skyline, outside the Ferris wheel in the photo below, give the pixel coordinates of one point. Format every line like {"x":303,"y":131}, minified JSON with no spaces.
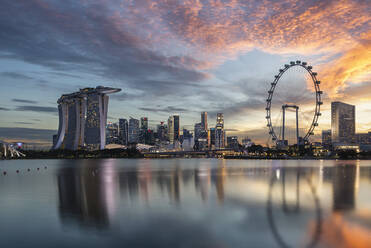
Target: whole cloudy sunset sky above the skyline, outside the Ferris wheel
{"x":178,"y":57}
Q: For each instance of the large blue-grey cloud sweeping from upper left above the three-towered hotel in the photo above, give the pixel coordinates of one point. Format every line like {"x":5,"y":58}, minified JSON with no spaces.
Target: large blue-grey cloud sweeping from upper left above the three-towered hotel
{"x":95,"y":43}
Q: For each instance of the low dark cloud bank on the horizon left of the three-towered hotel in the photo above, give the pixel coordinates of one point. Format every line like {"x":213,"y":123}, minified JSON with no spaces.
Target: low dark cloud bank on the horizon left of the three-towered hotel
{"x":27,"y":133}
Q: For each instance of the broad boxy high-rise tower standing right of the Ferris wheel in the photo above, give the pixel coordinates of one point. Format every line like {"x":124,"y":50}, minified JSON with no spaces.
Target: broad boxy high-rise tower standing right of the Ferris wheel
{"x":342,"y":122}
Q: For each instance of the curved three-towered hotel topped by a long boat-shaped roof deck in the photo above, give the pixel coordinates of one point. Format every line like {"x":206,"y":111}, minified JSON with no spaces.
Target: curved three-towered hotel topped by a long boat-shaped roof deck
{"x":83,"y":118}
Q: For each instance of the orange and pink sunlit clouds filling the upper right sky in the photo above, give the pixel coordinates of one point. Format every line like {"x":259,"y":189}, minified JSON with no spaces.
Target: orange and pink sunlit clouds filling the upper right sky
{"x":221,"y":30}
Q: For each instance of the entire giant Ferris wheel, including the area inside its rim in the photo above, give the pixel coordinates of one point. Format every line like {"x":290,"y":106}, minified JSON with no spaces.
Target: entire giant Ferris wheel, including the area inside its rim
{"x":285,"y":99}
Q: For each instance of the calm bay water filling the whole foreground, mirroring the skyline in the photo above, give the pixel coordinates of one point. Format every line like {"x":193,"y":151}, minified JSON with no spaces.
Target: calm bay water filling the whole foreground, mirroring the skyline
{"x":185,"y":203}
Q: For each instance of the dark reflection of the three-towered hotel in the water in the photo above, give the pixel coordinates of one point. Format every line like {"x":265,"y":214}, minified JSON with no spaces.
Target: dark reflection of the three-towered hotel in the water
{"x":86,"y":193}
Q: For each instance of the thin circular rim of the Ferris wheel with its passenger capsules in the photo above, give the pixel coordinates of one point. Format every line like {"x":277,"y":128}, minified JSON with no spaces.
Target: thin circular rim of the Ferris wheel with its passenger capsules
{"x":318,"y":104}
